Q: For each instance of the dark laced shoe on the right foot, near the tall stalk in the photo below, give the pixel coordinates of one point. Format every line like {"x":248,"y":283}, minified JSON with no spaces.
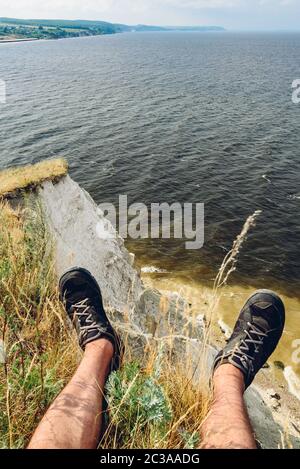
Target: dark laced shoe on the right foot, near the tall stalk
{"x":255,"y":336}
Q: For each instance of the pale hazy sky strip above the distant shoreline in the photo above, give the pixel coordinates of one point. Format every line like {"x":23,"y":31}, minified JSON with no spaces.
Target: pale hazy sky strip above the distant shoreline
{"x":232,"y":14}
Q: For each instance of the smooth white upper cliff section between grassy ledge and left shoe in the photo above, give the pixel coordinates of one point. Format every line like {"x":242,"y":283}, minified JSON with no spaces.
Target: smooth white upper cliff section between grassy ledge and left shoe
{"x":84,"y":237}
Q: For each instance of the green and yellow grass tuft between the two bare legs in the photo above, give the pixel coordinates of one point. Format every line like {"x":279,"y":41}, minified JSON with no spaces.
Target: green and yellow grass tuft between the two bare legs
{"x":154,"y":411}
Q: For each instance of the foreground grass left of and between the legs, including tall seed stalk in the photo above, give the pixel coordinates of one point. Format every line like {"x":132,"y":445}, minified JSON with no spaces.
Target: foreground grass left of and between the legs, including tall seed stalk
{"x":156,"y":405}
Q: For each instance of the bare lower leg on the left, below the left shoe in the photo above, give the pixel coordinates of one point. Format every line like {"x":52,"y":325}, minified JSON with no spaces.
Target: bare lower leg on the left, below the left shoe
{"x":74,"y":419}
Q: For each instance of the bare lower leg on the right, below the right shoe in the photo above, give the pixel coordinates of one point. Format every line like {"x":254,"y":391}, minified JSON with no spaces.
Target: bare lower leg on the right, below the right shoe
{"x":227,"y":425}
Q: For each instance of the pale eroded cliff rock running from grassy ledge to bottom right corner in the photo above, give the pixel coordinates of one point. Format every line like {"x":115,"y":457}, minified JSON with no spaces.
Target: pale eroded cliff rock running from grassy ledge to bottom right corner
{"x":83,"y":237}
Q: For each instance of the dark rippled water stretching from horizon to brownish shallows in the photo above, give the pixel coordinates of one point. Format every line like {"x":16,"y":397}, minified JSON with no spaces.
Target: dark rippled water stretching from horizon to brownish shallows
{"x":167,"y":117}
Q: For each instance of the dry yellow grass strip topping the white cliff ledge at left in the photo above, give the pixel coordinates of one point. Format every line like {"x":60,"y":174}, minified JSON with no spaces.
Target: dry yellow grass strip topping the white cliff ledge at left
{"x":24,"y":177}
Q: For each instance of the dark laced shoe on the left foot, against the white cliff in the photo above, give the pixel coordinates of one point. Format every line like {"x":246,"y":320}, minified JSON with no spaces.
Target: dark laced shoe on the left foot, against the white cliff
{"x":83,"y":302}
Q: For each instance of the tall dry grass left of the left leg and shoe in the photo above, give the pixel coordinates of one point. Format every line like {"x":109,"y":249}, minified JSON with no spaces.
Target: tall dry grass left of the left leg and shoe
{"x":41,"y":353}
